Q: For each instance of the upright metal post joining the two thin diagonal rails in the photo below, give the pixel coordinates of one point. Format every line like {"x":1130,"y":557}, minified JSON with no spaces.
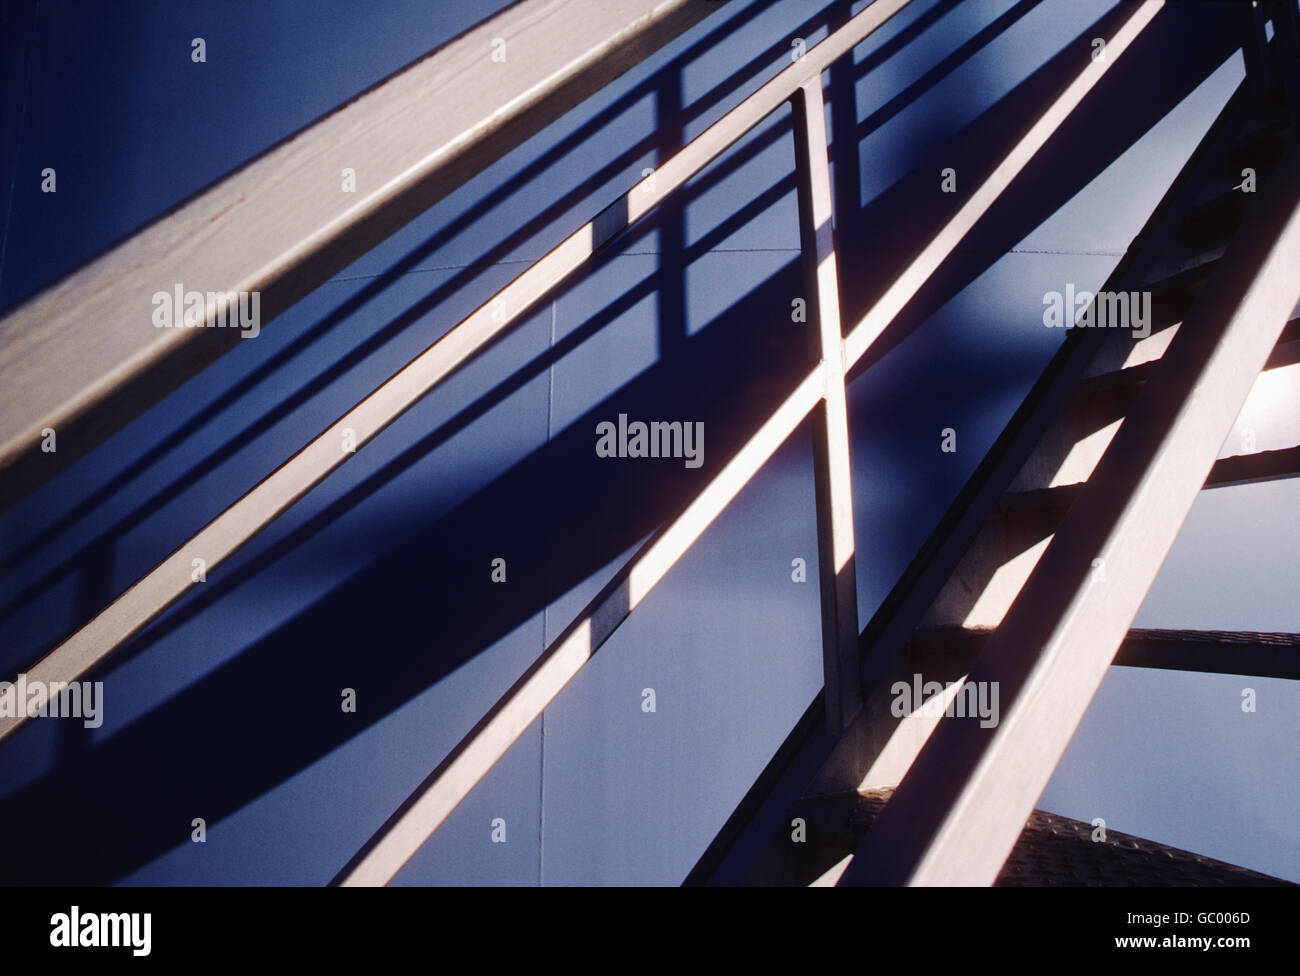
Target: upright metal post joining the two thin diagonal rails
{"x":830,"y":419}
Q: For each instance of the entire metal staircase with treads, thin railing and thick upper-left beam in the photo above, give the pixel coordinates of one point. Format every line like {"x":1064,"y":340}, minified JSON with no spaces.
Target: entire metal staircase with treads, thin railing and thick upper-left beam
{"x":1030,"y":583}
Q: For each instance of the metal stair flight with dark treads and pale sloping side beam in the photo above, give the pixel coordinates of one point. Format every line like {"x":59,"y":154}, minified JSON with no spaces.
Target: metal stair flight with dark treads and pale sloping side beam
{"x":1034,"y":576}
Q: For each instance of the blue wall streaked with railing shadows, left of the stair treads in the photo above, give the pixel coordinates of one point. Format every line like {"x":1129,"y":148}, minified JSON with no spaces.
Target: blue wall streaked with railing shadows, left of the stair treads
{"x":228,"y":708}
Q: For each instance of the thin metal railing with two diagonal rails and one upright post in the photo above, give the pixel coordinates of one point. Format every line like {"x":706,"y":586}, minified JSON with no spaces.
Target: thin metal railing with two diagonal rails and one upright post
{"x":822,"y":392}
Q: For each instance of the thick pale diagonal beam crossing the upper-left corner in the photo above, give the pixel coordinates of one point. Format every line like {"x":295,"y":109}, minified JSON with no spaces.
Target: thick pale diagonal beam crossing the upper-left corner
{"x":83,"y":357}
